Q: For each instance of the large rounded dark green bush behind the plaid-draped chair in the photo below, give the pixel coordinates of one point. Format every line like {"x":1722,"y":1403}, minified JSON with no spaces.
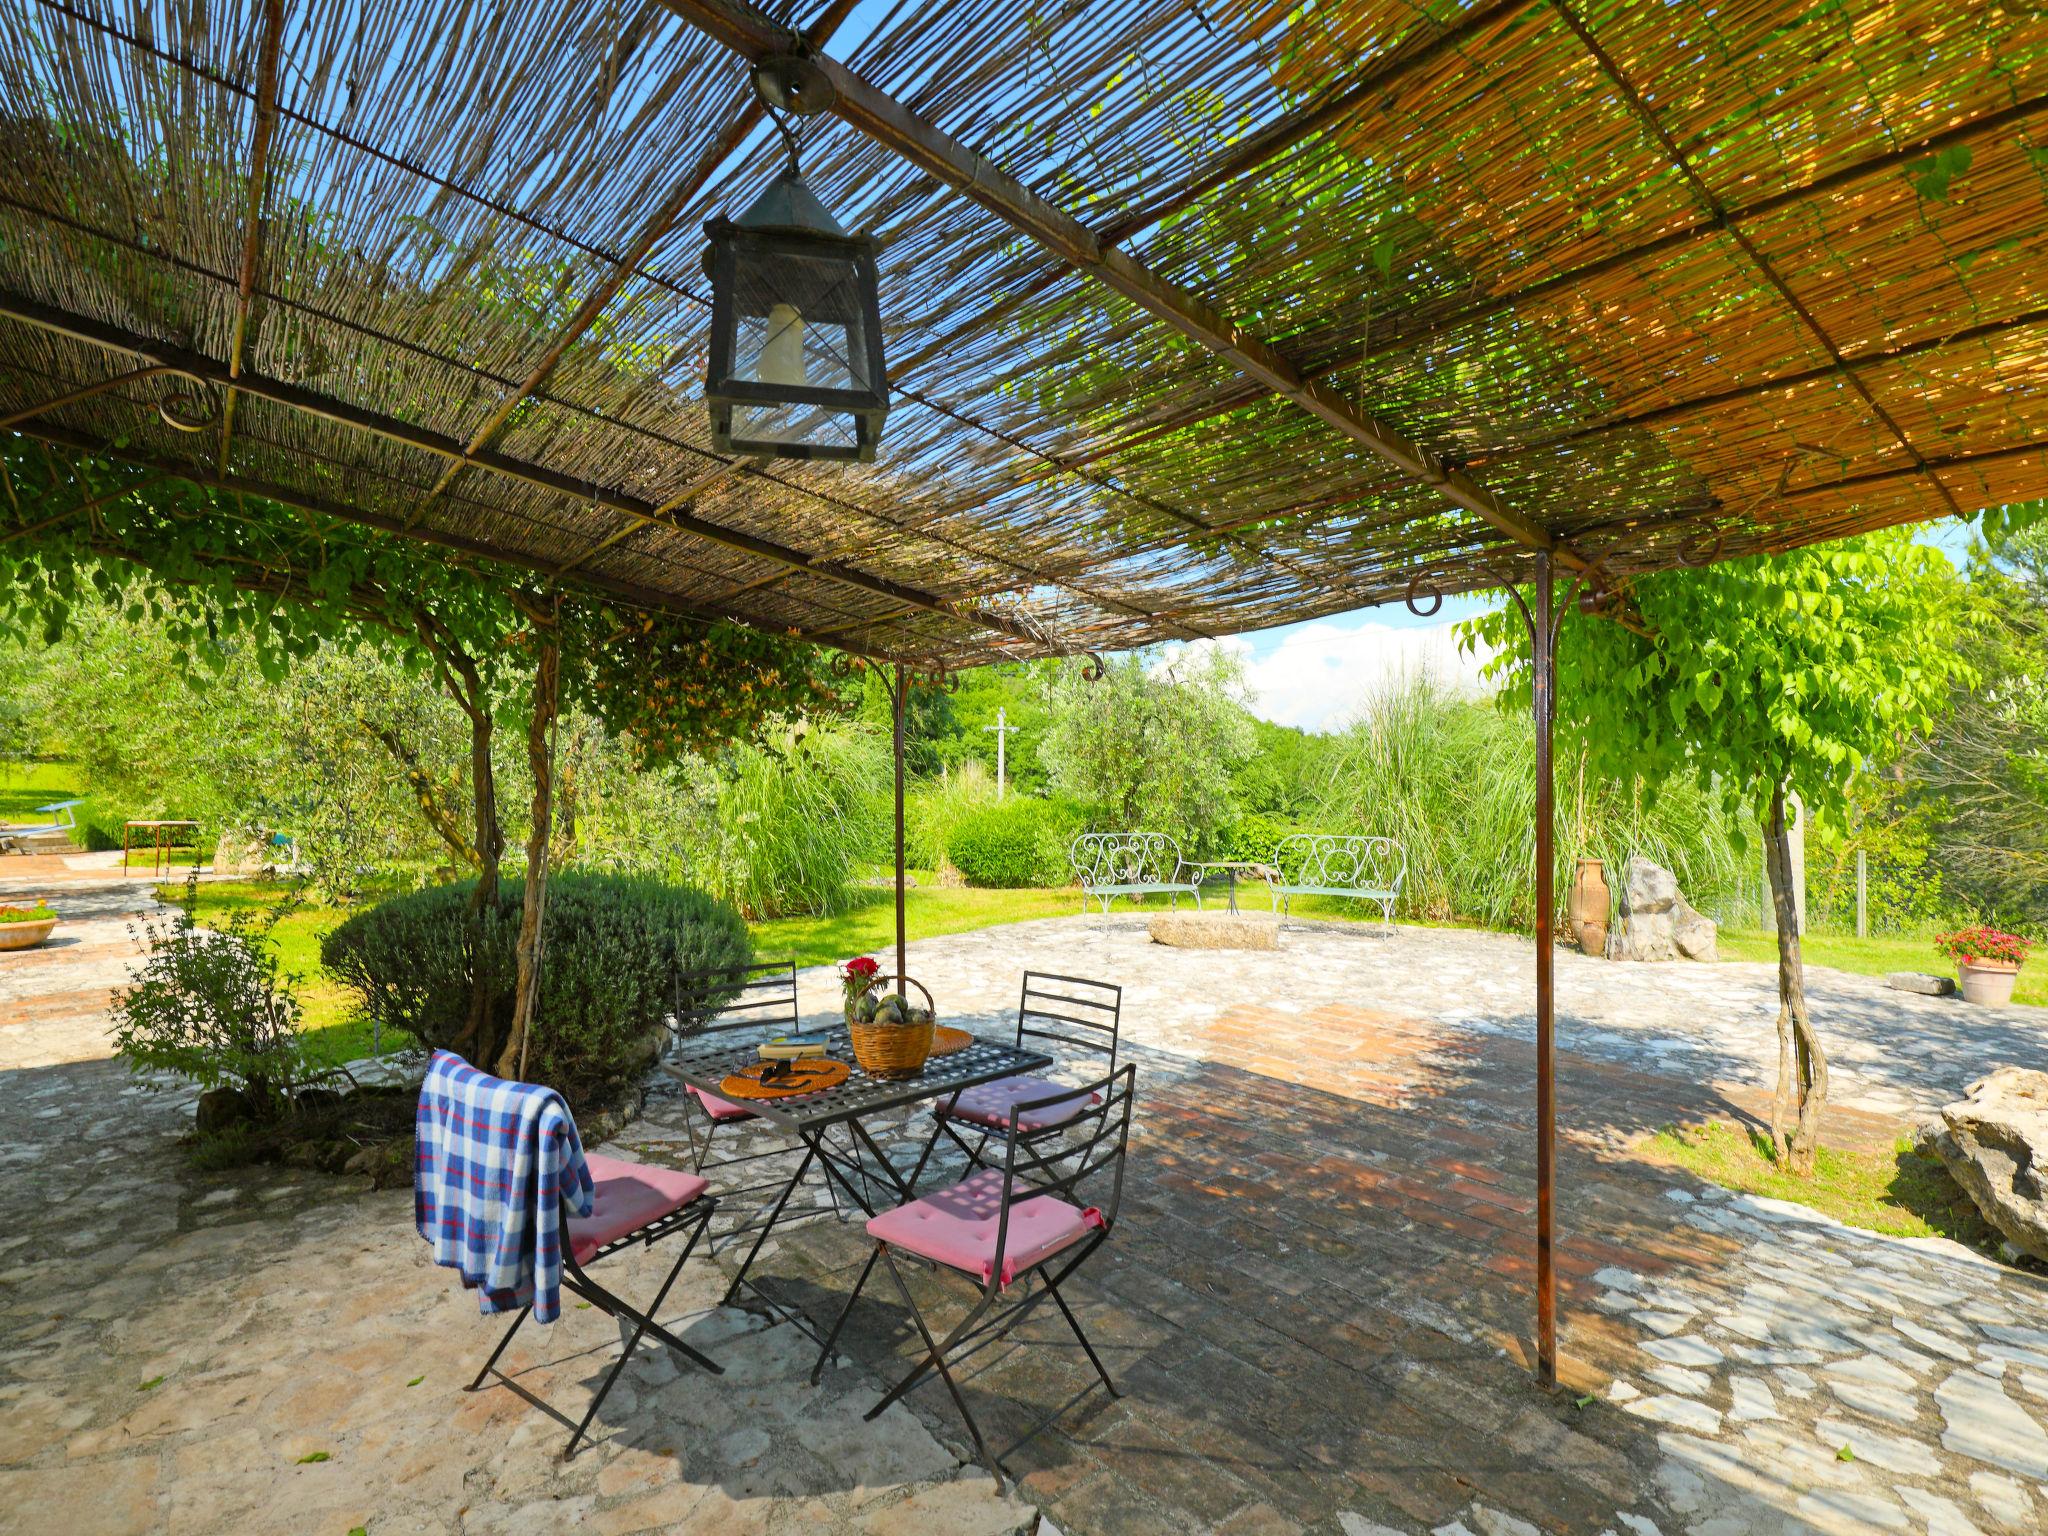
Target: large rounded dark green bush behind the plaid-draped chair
{"x":611,"y":951}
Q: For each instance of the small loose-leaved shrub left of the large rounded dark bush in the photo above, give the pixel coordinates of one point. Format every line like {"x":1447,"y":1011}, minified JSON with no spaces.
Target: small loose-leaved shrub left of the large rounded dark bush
{"x":218,"y":1009}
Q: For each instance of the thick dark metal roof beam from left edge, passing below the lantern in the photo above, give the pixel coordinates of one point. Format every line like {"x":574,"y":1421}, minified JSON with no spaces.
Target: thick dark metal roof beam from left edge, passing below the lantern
{"x":298,"y":398}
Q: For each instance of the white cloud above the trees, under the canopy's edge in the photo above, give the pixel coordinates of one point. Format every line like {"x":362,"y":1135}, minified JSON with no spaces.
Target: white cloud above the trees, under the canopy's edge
{"x":1318,"y":675}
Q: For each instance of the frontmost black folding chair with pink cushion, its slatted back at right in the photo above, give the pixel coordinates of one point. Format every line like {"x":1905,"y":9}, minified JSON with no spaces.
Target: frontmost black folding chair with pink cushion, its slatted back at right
{"x":1002,"y":1226}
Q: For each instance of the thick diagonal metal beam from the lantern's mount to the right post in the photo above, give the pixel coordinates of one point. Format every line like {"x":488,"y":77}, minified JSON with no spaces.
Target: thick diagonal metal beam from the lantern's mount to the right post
{"x":755,"y":36}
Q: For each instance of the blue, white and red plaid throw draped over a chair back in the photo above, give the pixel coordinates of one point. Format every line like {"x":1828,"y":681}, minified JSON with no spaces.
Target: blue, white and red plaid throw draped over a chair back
{"x":495,"y":1162}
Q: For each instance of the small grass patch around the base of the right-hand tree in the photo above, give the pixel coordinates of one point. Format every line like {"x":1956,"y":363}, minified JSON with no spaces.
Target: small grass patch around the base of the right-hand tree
{"x":1893,"y":1191}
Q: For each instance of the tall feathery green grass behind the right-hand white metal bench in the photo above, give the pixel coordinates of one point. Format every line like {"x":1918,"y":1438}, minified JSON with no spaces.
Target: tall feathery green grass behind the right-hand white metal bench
{"x":1453,"y":781}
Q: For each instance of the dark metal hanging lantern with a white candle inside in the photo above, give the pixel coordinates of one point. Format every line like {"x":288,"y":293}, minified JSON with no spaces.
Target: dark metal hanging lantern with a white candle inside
{"x":796,"y":331}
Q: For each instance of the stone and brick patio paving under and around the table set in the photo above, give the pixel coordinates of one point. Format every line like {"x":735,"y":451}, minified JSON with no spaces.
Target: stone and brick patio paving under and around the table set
{"x":1316,"y":1299}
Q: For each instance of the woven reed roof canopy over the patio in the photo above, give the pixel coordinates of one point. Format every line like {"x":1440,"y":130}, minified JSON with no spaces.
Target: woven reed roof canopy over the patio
{"x":1201,"y":316}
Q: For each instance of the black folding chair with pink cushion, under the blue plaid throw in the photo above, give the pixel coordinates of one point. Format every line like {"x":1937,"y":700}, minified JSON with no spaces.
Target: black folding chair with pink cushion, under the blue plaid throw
{"x":636,"y":1203}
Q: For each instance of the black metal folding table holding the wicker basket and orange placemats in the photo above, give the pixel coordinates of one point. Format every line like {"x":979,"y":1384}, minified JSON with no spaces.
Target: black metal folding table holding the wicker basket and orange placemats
{"x":808,"y":1117}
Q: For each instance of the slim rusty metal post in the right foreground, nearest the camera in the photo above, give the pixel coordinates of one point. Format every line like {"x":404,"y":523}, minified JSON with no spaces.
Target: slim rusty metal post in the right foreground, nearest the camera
{"x":1543,"y":642}
